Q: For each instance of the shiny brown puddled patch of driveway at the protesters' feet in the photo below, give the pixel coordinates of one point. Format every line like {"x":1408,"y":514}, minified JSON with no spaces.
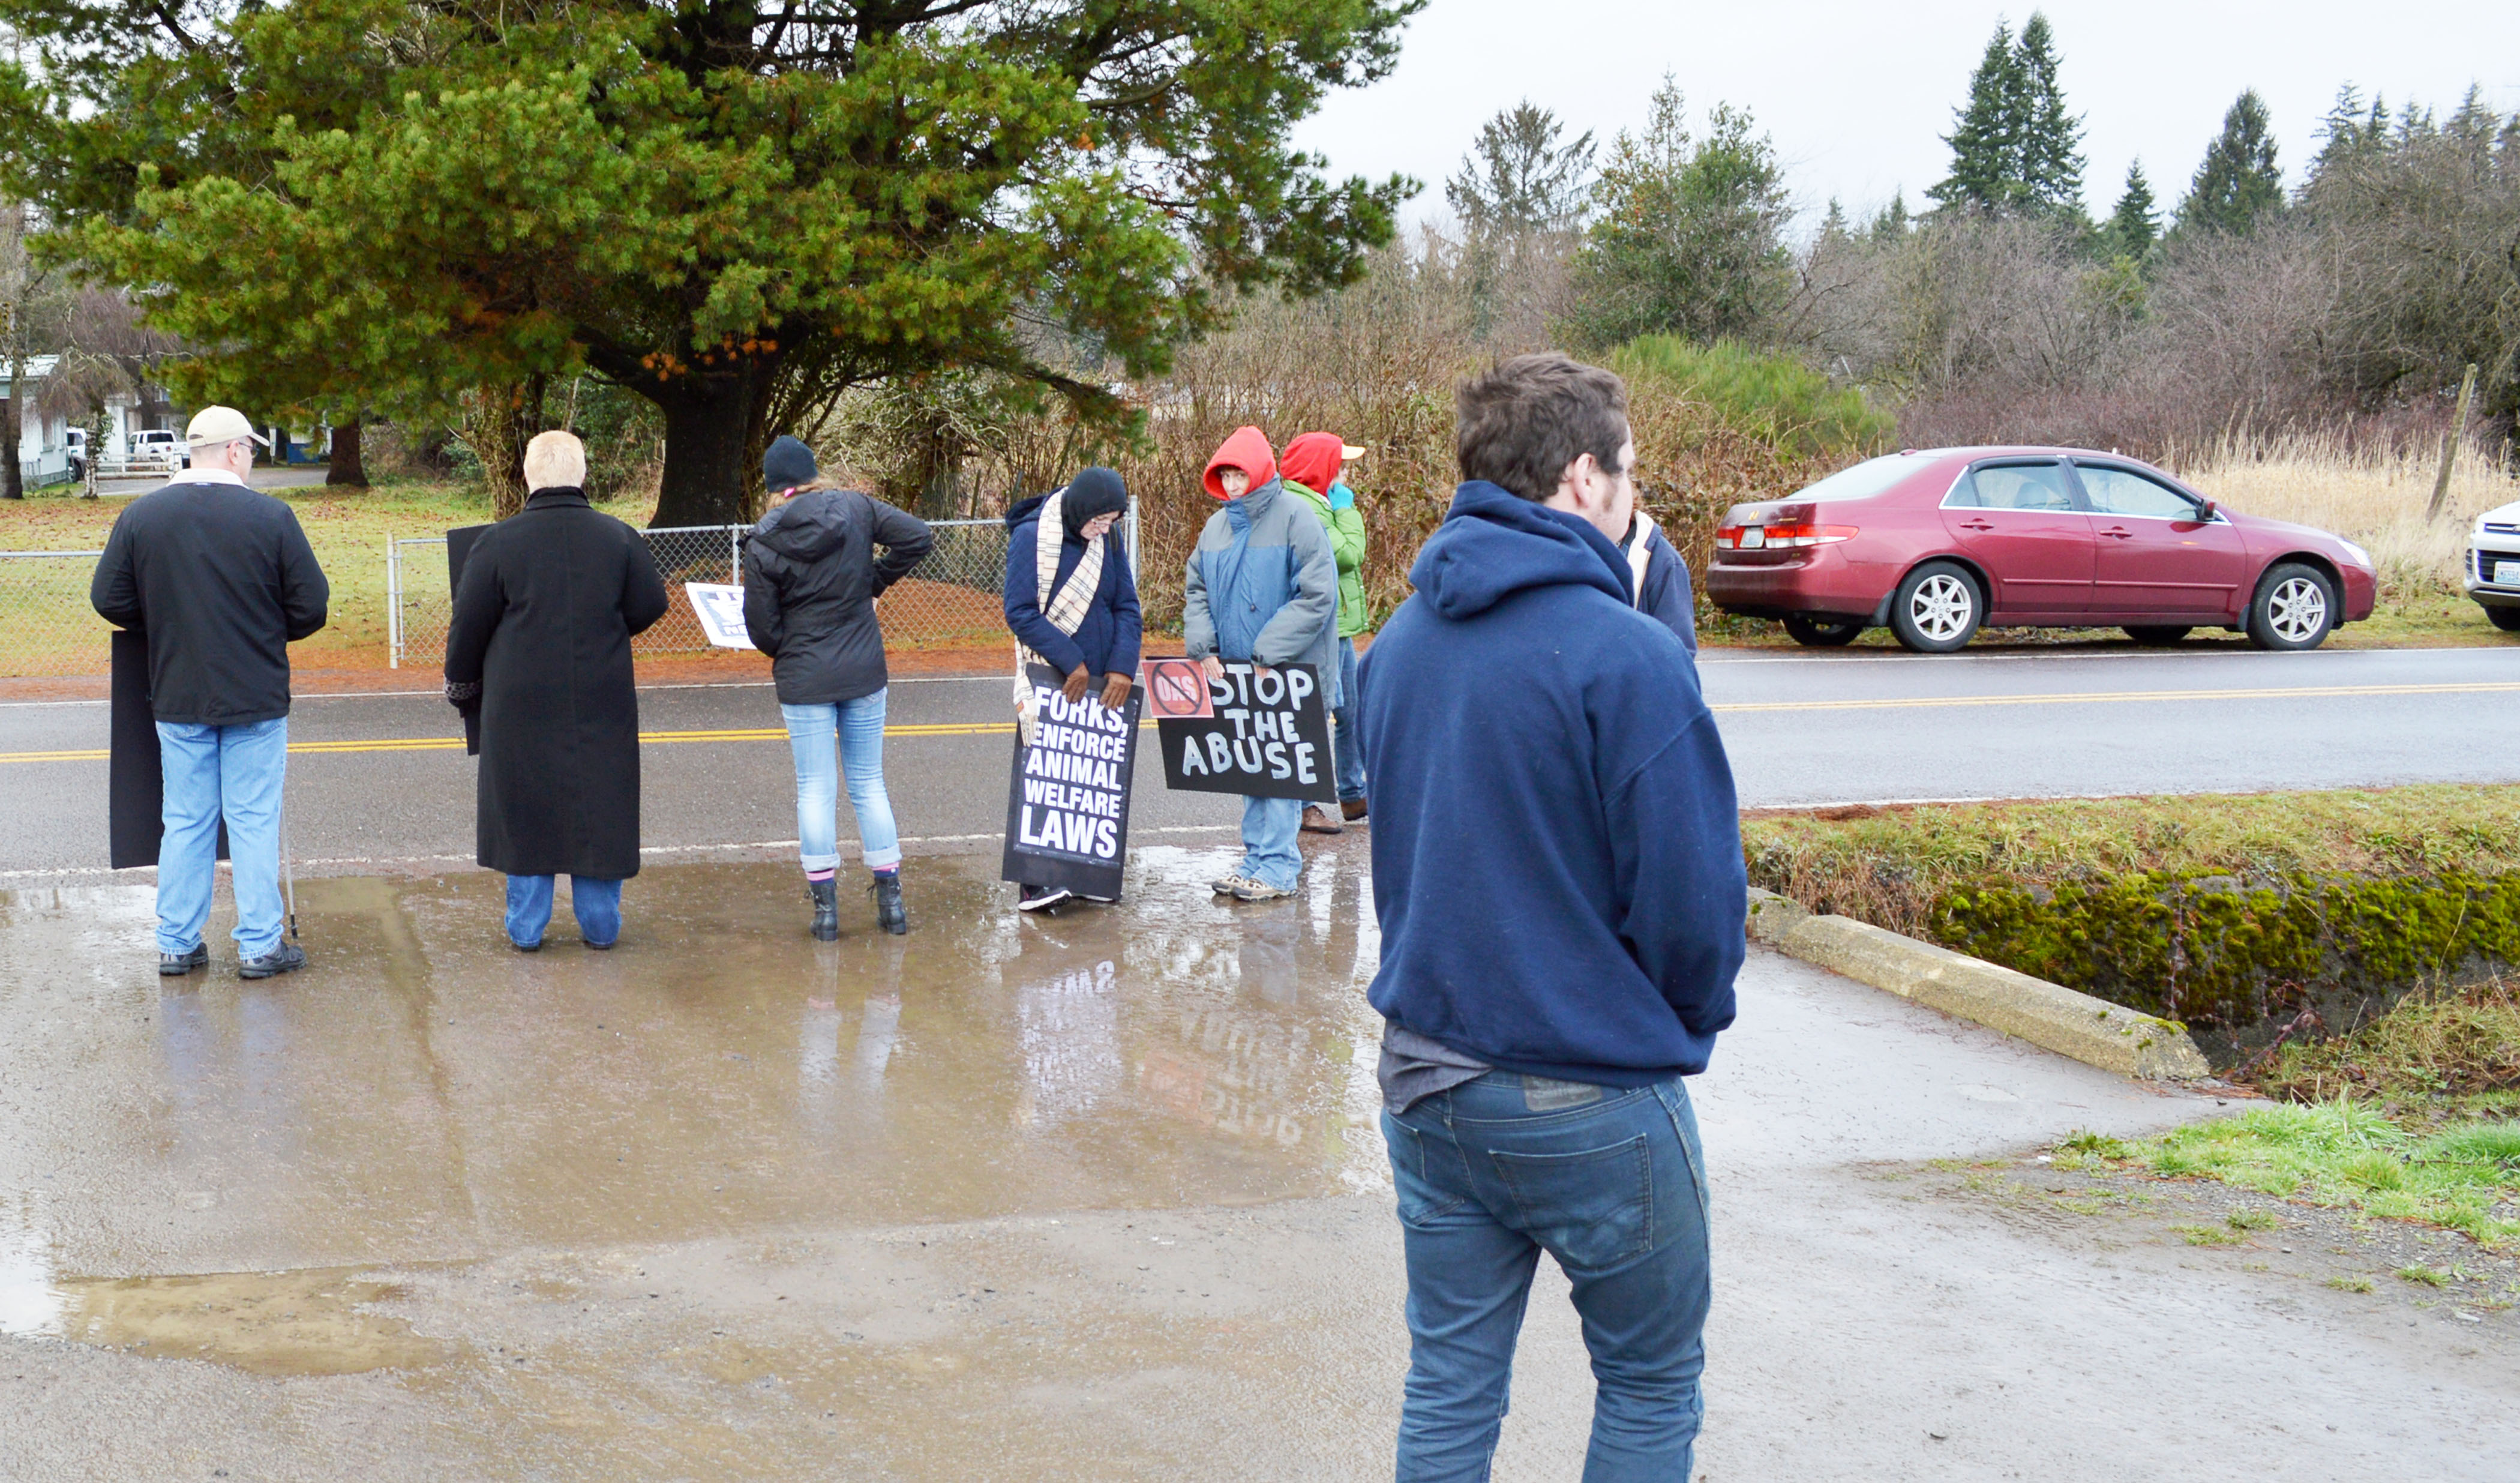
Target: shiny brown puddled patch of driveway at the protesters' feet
{"x":251,"y":1172}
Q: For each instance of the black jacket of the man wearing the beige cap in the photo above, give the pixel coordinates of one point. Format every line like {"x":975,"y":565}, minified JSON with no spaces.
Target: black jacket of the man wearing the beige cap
{"x":223,"y":581}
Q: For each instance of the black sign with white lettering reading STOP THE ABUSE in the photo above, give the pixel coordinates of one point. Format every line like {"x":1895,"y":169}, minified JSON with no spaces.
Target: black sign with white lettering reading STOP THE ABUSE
{"x":1269,"y":738}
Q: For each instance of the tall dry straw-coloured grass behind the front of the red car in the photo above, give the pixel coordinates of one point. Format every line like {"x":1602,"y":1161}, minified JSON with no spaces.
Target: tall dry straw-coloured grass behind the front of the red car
{"x":2373,"y":496}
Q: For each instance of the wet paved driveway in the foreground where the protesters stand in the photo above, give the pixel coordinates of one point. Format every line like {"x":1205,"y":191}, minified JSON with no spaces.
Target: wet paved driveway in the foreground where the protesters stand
{"x":1082,"y":1197}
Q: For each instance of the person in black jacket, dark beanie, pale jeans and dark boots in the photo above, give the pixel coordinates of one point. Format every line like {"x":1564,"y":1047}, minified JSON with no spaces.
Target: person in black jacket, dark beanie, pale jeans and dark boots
{"x":810,"y":584}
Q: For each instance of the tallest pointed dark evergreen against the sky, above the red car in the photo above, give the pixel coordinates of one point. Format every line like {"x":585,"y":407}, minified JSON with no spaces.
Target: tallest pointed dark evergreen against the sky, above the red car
{"x":2015,"y":148}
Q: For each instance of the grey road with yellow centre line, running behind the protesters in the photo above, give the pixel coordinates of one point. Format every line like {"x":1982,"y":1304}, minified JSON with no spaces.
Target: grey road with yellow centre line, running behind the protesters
{"x":1801,"y":728}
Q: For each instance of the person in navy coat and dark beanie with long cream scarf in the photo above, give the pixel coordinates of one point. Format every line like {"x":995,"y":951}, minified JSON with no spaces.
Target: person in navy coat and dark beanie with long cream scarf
{"x":1072,"y":604}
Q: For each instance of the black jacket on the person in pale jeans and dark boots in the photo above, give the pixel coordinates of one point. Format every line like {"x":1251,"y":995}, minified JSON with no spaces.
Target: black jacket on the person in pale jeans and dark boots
{"x":810,"y":586}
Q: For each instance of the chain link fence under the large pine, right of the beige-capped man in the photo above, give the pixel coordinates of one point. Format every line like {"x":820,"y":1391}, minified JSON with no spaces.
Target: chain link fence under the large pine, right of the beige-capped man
{"x":951,"y":602}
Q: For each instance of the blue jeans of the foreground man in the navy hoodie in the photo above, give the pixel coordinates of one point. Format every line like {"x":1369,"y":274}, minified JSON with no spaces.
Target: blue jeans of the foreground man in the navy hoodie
{"x":1612,"y":1184}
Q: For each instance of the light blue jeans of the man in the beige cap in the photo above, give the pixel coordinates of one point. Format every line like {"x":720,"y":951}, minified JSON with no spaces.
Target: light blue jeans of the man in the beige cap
{"x":210,"y":773}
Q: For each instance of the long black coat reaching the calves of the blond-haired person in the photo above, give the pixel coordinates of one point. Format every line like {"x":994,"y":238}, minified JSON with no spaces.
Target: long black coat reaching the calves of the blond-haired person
{"x":543,"y":624}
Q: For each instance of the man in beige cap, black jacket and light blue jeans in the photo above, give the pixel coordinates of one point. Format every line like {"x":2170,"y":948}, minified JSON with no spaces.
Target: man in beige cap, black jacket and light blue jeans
{"x":223,"y":581}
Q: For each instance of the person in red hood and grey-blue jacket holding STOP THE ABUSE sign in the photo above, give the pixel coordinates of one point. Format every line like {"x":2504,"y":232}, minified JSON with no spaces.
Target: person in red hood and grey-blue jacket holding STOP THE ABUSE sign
{"x":1261,"y":591}
